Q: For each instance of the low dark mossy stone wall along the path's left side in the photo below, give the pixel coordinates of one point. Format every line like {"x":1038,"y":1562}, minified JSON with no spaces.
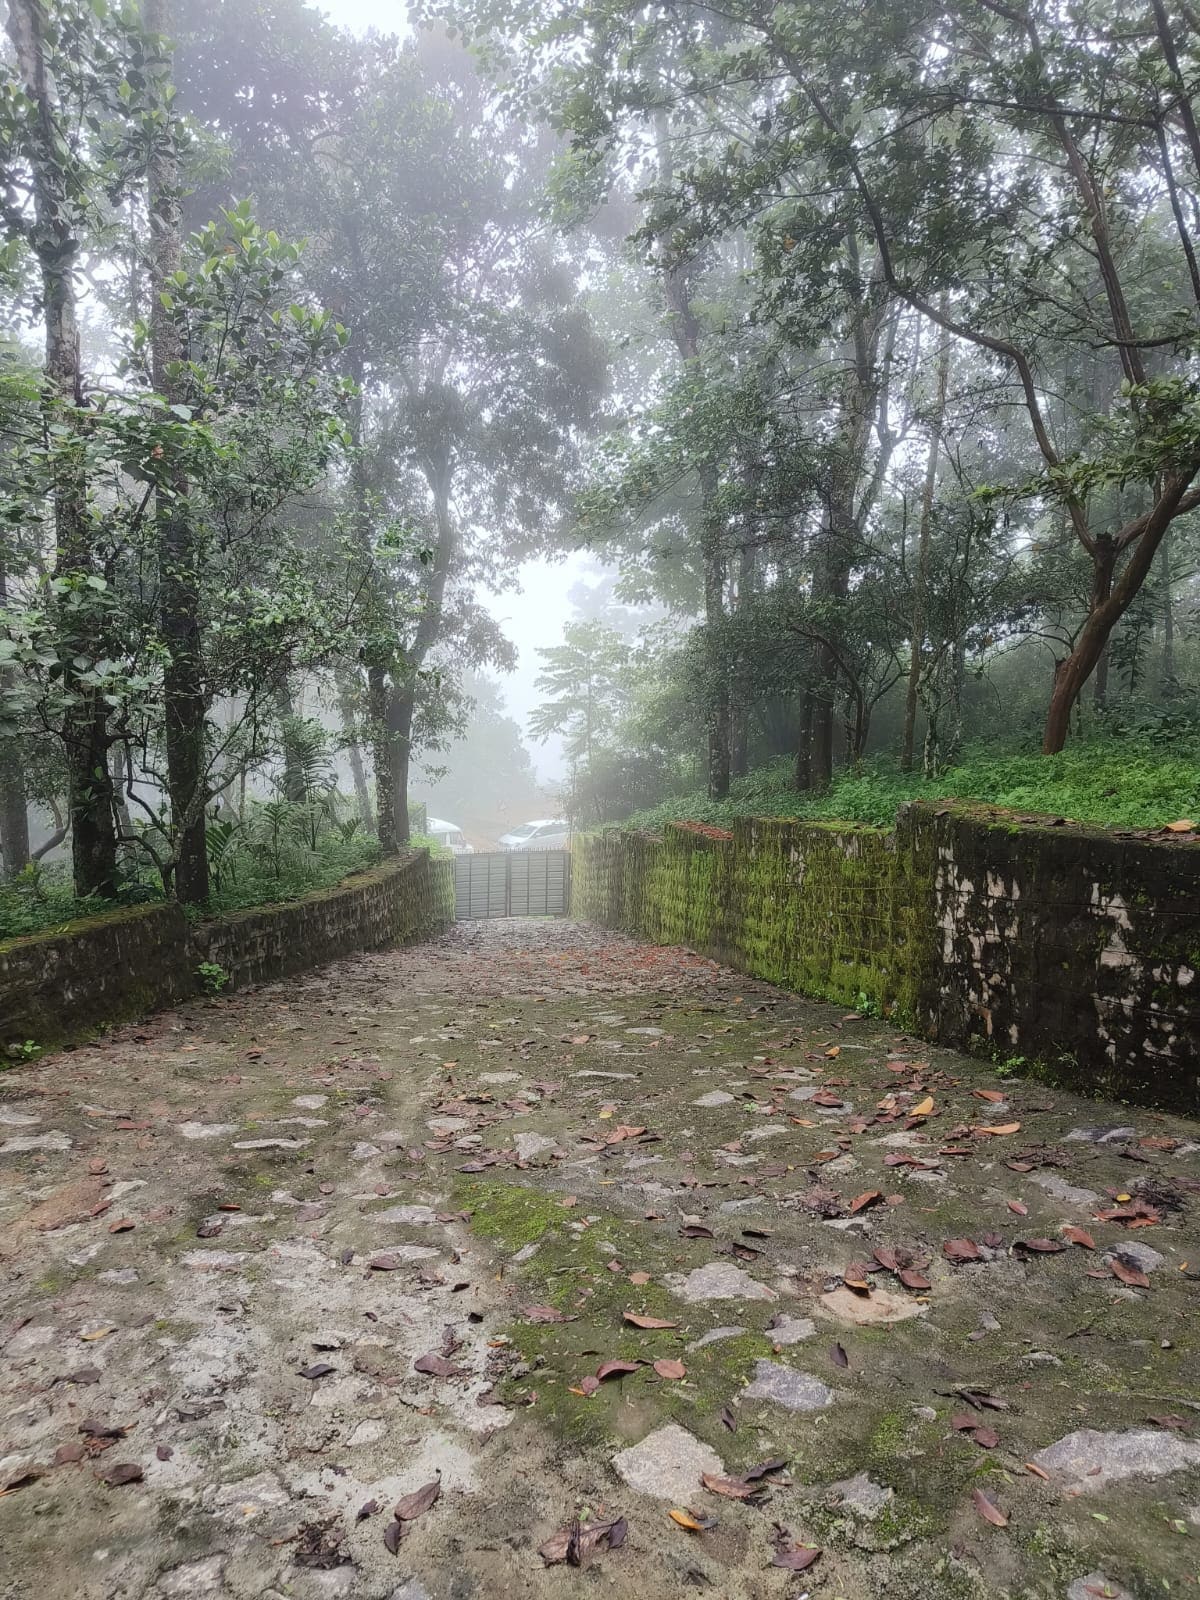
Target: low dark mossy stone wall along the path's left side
{"x":62,"y":986}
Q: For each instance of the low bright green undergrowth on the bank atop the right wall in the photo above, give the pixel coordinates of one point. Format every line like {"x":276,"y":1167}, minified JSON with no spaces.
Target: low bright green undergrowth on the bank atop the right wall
{"x":1127,"y":783}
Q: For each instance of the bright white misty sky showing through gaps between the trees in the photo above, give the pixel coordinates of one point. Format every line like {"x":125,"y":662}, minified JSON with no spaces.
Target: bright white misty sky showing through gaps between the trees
{"x":535,"y":617}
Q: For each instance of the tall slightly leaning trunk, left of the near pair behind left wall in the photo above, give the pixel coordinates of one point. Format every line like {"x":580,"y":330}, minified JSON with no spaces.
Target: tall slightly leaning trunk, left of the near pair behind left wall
{"x":54,"y":239}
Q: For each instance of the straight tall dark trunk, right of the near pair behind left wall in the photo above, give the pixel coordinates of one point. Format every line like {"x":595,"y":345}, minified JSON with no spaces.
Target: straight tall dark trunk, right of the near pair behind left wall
{"x":178,"y":556}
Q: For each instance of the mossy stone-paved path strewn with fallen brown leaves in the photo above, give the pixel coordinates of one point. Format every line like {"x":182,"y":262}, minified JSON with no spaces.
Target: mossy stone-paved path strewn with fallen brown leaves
{"x":886,"y":1321}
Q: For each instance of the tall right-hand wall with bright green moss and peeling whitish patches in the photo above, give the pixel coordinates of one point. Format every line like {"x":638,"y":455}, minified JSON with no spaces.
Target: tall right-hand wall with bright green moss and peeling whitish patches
{"x":1070,"y":948}
